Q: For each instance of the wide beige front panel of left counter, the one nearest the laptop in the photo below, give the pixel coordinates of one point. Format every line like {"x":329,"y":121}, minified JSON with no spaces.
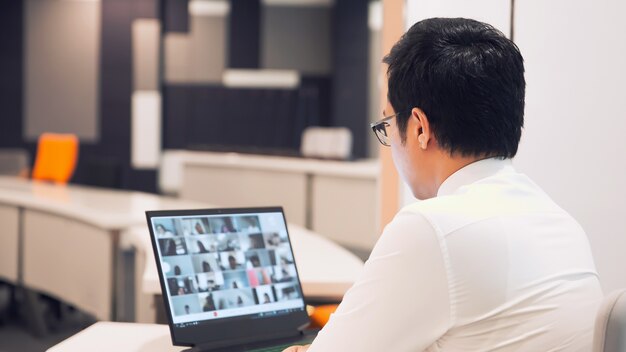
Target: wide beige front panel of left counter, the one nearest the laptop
{"x":69,"y":260}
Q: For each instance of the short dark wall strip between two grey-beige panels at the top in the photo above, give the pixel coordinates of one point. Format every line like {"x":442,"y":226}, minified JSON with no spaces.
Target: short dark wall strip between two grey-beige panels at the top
{"x":244,"y":34}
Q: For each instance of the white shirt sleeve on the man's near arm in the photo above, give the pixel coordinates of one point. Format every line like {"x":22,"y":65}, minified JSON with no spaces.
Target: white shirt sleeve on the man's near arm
{"x":401,"y":301}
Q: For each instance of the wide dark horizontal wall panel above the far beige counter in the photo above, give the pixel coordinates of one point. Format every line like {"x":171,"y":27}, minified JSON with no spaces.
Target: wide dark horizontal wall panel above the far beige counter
{"x":268,"y":120}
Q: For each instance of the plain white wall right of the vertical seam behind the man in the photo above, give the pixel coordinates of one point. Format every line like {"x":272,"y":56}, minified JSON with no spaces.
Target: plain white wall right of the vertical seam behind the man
{"x":573,"y":141}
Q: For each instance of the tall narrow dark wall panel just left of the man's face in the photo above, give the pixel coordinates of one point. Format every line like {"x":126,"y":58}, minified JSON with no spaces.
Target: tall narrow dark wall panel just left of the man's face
{"x":350,"y":65}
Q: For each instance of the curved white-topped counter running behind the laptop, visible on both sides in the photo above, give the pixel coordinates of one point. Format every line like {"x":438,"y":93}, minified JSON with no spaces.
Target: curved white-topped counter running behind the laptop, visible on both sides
{"x":71,"y":242}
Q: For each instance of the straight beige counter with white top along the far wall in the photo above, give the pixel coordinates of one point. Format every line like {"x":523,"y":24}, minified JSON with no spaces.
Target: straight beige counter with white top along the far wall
{"x":338,"y":199}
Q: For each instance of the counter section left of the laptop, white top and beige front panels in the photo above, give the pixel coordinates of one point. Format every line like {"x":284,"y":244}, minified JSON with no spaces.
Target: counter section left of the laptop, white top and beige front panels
{"x":67,"y":240}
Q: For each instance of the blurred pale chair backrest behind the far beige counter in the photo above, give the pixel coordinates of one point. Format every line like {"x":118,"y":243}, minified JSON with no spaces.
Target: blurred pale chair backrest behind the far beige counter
{"x":327,"y":142}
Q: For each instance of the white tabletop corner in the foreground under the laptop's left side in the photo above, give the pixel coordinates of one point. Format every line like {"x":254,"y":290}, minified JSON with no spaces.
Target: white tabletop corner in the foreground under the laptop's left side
{"x":121,"y":337}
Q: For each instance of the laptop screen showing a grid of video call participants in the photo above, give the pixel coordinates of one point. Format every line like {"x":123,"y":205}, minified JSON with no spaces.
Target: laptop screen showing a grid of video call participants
{"x":218,"y":266}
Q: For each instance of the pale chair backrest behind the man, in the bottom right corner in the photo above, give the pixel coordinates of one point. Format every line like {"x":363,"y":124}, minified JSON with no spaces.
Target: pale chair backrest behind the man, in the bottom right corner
{"x":610,"y":328}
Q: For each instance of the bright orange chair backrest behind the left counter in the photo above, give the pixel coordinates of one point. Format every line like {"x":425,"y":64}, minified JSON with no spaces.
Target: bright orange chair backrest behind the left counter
{"x":56,"y":157}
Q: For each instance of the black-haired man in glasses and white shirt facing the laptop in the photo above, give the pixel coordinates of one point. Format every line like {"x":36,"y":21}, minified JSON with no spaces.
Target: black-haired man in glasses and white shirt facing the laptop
{"x":487,"y":261}
